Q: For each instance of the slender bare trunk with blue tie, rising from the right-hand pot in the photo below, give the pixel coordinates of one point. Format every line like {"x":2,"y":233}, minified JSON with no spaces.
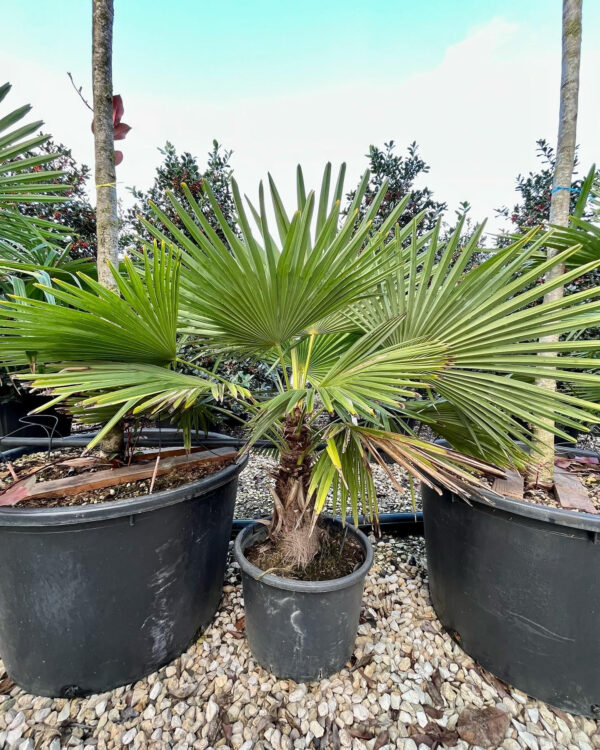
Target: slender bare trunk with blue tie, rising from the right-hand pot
{"x":542,"y":470}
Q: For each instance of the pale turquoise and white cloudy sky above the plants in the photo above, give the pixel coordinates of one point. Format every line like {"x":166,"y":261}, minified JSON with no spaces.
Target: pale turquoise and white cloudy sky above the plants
{"x":474,"y":82}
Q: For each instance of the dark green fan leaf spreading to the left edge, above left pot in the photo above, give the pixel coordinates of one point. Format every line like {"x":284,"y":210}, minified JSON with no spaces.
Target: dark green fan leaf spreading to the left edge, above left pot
{"x":136,"y":323}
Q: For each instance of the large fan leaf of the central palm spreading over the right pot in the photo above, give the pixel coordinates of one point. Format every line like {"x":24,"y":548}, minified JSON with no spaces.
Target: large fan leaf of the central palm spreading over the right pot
{"x":488,"y":321}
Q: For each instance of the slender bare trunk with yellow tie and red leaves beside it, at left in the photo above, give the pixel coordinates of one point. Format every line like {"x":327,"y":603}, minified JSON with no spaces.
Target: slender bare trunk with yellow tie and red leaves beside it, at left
{"x":107,"y":219}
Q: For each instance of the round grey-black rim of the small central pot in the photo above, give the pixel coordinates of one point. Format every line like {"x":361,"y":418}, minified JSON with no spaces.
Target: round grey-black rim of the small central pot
{"x":307,"y":587}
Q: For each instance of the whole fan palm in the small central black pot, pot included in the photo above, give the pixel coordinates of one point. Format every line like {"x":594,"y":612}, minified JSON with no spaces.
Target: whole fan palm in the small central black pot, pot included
{"x":363,"y":329}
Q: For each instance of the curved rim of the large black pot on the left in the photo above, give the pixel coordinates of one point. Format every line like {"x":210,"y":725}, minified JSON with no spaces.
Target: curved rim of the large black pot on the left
{"x":79,"y":514}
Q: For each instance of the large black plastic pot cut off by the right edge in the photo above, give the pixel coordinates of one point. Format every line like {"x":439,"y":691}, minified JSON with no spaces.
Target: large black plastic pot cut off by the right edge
{"x":518,"y":587}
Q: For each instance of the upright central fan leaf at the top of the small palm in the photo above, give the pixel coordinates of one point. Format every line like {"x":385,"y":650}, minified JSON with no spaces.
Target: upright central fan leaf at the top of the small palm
{"x":262,"y":293}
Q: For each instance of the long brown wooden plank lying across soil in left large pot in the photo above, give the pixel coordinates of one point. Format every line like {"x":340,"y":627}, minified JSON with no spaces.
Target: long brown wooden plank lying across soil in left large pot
{"x":111,"y":477}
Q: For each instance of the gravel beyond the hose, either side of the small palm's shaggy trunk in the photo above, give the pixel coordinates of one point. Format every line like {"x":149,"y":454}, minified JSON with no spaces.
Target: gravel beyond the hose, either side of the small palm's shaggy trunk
{"x":254,"y":498}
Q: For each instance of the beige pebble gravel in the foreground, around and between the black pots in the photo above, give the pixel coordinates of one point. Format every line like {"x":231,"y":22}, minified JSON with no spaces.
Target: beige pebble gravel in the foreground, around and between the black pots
{"x":409,"y":686}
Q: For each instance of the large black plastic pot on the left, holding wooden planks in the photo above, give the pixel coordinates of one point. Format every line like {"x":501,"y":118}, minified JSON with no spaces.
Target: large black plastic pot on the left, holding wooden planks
{"x":96,"y":596}
